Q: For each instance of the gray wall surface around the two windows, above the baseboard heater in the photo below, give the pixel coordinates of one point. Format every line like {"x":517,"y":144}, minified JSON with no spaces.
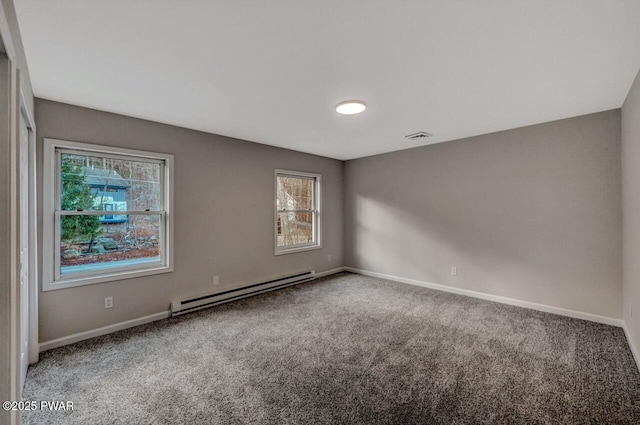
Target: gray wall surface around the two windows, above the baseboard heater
{"x":223,"y":216}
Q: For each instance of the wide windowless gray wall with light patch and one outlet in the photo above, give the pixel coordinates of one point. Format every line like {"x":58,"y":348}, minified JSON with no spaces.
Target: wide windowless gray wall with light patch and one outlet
{"x":532,"y":213}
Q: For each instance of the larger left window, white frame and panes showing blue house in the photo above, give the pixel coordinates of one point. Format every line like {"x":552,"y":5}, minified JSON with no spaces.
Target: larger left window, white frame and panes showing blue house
{"x":107,"y":214}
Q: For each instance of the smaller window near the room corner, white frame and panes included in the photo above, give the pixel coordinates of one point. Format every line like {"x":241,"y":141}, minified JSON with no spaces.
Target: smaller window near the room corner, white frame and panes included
{"x":297,"y":215}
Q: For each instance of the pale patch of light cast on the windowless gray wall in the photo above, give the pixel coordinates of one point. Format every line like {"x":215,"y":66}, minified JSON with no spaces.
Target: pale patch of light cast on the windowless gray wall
{"x":388,"y":232}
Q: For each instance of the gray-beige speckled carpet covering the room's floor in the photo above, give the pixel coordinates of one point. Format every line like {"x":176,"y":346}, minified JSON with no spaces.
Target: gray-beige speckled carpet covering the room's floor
{"x":346,"y":349}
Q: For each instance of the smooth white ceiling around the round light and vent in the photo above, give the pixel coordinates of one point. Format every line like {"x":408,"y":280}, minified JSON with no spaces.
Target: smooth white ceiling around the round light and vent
{"x":271,"y":71}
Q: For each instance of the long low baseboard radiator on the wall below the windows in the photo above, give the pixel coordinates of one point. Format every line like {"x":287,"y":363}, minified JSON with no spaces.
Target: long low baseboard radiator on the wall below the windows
{"x":187,"y":305}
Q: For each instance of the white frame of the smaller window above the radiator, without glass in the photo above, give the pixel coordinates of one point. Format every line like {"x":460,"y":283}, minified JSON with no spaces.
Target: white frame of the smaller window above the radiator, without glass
{"x":317,"y":239}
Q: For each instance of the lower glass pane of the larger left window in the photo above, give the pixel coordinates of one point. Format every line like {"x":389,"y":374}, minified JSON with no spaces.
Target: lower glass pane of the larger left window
{"x":88,"y":244}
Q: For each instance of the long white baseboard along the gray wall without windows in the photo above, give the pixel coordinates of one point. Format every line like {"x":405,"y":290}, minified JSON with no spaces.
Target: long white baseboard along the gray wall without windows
{"x":496,"y":298}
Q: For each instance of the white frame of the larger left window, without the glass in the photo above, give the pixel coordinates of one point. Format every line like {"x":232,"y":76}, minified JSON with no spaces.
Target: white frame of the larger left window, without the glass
{"x":52,"y":279}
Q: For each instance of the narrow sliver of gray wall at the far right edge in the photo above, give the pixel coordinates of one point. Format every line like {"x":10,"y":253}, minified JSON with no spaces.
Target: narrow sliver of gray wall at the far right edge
{"x":631,"y":211}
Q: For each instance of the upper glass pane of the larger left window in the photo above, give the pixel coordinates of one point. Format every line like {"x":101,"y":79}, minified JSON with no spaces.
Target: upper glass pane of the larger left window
{"x":98,"y":183}
